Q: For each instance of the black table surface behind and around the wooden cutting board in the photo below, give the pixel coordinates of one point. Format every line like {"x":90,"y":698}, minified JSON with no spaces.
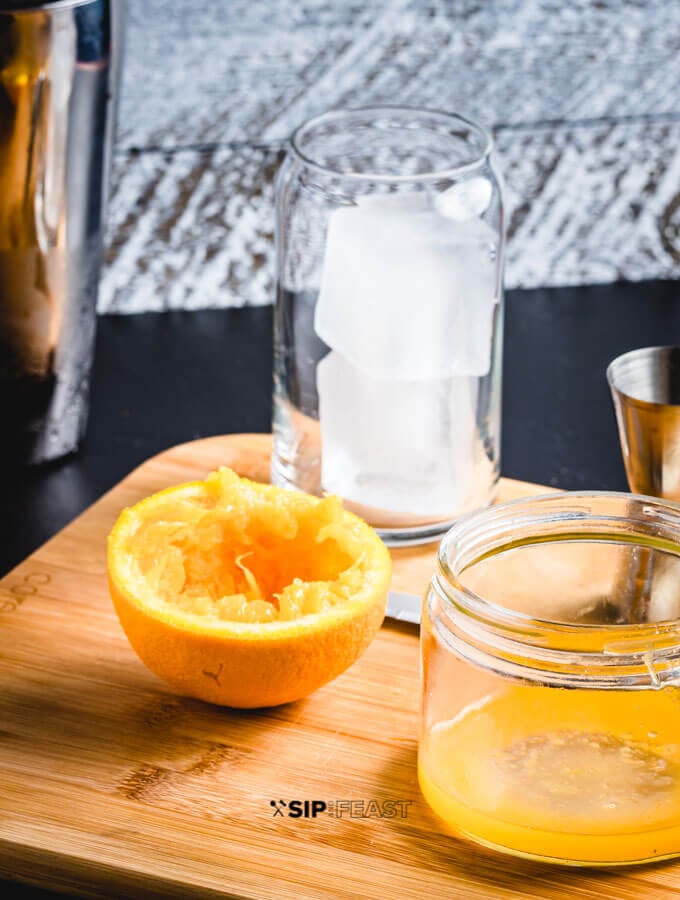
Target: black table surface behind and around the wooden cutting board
{"x":162,"y":379}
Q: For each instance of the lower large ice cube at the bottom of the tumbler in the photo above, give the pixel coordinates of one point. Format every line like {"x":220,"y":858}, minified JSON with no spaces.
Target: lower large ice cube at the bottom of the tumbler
{"x":407,"y":447}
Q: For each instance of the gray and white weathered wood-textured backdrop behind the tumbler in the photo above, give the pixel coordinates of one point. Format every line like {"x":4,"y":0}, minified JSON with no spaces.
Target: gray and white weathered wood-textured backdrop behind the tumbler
{"x":583,"y":99}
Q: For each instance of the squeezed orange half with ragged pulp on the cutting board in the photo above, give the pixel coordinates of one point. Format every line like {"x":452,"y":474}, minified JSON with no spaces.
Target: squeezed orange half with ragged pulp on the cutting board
{"x":244,"y":594}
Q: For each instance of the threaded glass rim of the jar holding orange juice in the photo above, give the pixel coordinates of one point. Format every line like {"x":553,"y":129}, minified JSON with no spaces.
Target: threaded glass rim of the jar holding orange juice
{"x":639,"y":653}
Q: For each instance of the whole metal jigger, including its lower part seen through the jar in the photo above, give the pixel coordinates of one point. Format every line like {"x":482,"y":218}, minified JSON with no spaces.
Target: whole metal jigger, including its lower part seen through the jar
{"x":645,"y":389}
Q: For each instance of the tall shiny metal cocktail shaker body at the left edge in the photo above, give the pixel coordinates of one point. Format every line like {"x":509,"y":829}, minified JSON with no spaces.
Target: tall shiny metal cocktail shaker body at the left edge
{"x":59,"y":84}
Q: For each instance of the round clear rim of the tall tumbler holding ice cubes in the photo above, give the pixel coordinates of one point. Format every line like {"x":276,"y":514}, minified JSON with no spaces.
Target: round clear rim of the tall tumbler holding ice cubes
{"x":337,"y":115}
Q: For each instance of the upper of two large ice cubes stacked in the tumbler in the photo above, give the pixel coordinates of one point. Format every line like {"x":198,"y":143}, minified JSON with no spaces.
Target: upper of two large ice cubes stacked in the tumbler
{"x":407,"y":292}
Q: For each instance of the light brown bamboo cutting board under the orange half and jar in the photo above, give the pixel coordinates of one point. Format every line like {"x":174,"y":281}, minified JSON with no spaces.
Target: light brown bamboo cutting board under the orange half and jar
{"x":113,"y":786}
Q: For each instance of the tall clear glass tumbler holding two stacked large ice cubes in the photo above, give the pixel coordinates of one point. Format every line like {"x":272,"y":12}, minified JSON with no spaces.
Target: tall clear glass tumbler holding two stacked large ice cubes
{"x":389,"y":317}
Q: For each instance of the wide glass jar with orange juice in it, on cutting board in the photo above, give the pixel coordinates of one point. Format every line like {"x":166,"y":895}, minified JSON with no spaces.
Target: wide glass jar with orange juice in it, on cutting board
{"x":551,"y":674}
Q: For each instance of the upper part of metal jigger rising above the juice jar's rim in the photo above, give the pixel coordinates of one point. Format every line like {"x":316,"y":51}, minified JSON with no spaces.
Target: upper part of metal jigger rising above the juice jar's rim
{"x":645,"y":388}
